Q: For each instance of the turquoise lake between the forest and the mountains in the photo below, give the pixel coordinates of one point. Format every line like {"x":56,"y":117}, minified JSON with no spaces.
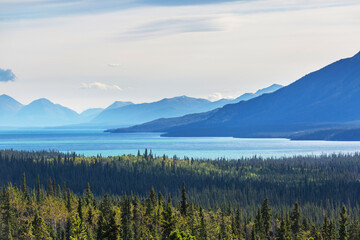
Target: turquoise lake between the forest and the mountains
{"x":93,"y":142}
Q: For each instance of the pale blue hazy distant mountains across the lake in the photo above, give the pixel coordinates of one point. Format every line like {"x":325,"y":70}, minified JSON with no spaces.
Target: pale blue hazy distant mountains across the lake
{"x":44,"y":113}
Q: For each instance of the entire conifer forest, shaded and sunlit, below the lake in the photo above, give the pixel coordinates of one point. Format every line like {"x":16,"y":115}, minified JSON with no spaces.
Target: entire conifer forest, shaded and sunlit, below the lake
{"x":53,"y":195}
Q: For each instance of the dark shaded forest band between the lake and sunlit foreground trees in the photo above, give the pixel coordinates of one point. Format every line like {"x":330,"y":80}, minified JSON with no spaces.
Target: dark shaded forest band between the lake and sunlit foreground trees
{"x":325,"y":181}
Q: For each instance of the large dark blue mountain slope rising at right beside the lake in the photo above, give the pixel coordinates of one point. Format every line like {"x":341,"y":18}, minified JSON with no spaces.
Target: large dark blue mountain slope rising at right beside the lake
{"x":327,"y":98}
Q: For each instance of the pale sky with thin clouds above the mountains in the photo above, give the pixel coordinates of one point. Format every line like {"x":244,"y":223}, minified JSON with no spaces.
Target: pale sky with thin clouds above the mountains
{"x":86,"y":53}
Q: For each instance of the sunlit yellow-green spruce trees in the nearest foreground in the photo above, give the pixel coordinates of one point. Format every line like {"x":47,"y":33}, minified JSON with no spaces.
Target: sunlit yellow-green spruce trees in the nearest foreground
{"x":58,"y":213}
